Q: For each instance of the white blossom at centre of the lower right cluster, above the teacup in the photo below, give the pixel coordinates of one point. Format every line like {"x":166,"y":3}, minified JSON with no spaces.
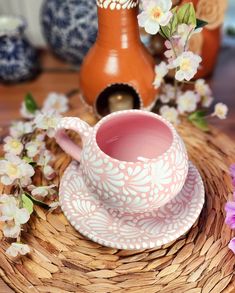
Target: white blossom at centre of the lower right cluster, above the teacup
{"x":187,"y":102}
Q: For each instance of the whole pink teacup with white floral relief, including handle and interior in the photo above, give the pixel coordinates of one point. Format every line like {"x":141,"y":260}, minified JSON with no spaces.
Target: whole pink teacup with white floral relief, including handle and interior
{"x":134,"y":160}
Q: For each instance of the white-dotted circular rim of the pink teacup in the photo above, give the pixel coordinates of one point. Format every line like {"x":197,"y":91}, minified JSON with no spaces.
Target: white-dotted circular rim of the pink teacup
{"x":173,"y":131}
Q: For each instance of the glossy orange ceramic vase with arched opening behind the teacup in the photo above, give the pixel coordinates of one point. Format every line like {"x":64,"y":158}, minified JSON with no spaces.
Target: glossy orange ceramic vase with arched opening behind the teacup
{"x":118,"y":61}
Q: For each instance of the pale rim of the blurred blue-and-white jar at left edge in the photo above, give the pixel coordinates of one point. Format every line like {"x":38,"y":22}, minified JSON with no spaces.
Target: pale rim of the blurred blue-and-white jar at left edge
{"x":20,"y":27}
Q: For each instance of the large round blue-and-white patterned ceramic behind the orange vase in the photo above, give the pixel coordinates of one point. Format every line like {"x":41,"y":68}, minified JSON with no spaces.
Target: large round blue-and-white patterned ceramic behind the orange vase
{"x":69,"y":27}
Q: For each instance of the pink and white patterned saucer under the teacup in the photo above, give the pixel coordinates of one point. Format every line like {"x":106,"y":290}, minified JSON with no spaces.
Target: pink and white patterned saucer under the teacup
{"x":114,"y":229}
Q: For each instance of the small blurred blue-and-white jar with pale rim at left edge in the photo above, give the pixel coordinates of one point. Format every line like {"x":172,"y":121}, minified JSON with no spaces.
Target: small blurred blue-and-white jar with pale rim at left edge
{"x":18,"y":58}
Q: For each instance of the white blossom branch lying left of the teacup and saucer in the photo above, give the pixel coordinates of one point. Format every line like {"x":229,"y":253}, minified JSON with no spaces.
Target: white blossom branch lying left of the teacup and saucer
{"x":25,"y":151}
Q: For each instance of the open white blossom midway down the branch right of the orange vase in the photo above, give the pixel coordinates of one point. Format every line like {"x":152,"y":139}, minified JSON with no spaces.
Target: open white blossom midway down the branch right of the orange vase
{"x":187,"y":65}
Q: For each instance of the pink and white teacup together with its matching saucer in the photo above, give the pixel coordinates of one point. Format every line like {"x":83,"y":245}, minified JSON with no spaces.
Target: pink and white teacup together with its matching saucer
{"x":133,"y":187}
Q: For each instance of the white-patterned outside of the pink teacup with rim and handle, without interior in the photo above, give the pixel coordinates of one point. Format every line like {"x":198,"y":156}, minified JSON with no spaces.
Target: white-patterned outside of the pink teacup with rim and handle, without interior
{"x":128,"y":186}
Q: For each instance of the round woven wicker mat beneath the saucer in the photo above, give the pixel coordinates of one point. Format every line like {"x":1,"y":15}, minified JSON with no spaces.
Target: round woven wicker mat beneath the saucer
{"x":62,"y":260}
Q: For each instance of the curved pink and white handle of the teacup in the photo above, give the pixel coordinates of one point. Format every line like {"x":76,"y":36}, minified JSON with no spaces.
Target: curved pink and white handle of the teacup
{"x":79,"y":126}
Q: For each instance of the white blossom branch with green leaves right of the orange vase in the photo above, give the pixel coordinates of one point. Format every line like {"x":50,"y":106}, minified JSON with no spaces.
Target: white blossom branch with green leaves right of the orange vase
{"x":177,"y":26}
